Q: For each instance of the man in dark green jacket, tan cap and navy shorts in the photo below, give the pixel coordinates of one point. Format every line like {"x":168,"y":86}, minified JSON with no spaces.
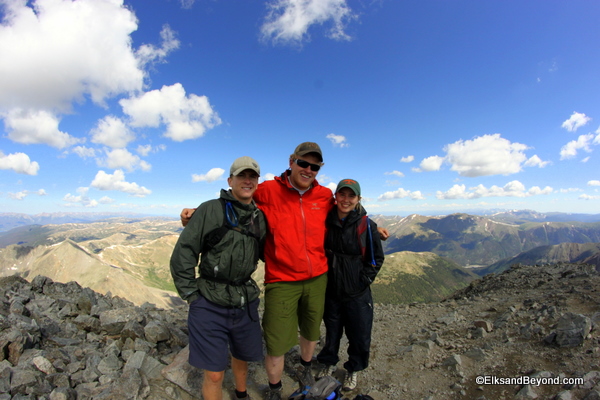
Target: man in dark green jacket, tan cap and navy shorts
{"x":227,"y":235}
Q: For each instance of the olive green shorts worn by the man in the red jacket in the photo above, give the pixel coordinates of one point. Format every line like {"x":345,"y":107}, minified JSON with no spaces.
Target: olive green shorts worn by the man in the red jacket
{"x":290,"y":306}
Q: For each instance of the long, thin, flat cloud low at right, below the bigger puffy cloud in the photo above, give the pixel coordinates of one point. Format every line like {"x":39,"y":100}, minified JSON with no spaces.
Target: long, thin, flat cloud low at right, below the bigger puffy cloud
{"x":511,"y":189}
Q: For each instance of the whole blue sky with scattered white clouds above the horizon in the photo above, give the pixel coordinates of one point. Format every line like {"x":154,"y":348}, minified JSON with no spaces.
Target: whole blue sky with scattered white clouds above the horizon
{"x":433,"y":106}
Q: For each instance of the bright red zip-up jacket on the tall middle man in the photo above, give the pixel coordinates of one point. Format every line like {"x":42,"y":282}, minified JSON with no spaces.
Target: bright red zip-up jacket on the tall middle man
{"x":294,"y":249}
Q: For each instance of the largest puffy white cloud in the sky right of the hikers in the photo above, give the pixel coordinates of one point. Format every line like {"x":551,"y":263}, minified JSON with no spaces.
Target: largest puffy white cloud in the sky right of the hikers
{"x":485,"y":155}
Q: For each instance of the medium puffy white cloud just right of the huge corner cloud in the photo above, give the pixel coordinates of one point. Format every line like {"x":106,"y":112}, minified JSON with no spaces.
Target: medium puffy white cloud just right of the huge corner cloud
{"x":185,"y":117}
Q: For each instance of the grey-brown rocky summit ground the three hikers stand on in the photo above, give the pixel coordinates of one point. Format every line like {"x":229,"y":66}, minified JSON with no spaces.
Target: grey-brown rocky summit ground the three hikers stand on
{"x":529,"y":332}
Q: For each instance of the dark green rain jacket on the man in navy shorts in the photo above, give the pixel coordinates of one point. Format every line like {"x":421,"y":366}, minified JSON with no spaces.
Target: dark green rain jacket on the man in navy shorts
{"x":228,"y":266}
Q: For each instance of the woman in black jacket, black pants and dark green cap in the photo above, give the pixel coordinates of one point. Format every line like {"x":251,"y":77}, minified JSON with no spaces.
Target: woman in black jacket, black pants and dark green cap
{"x":355,"y":256}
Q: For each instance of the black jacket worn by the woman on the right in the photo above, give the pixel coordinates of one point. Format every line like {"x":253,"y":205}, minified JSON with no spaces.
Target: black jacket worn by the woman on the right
{"x":351,"y":273}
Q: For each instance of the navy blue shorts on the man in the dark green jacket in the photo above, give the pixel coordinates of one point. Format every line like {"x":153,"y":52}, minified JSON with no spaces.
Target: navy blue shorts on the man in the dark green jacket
{"x":214,"y":331}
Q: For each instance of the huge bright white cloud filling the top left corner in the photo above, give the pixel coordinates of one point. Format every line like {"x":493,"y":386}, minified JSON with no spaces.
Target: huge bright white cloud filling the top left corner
{"x":83,"y":46}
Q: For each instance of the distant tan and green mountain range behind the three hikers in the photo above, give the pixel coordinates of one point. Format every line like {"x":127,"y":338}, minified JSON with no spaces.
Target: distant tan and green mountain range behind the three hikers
{"x":427,"y":258}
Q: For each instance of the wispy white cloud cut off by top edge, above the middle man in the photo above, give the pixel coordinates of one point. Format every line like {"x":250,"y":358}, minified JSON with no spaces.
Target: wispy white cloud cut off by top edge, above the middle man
{"x":288,"y":21}
